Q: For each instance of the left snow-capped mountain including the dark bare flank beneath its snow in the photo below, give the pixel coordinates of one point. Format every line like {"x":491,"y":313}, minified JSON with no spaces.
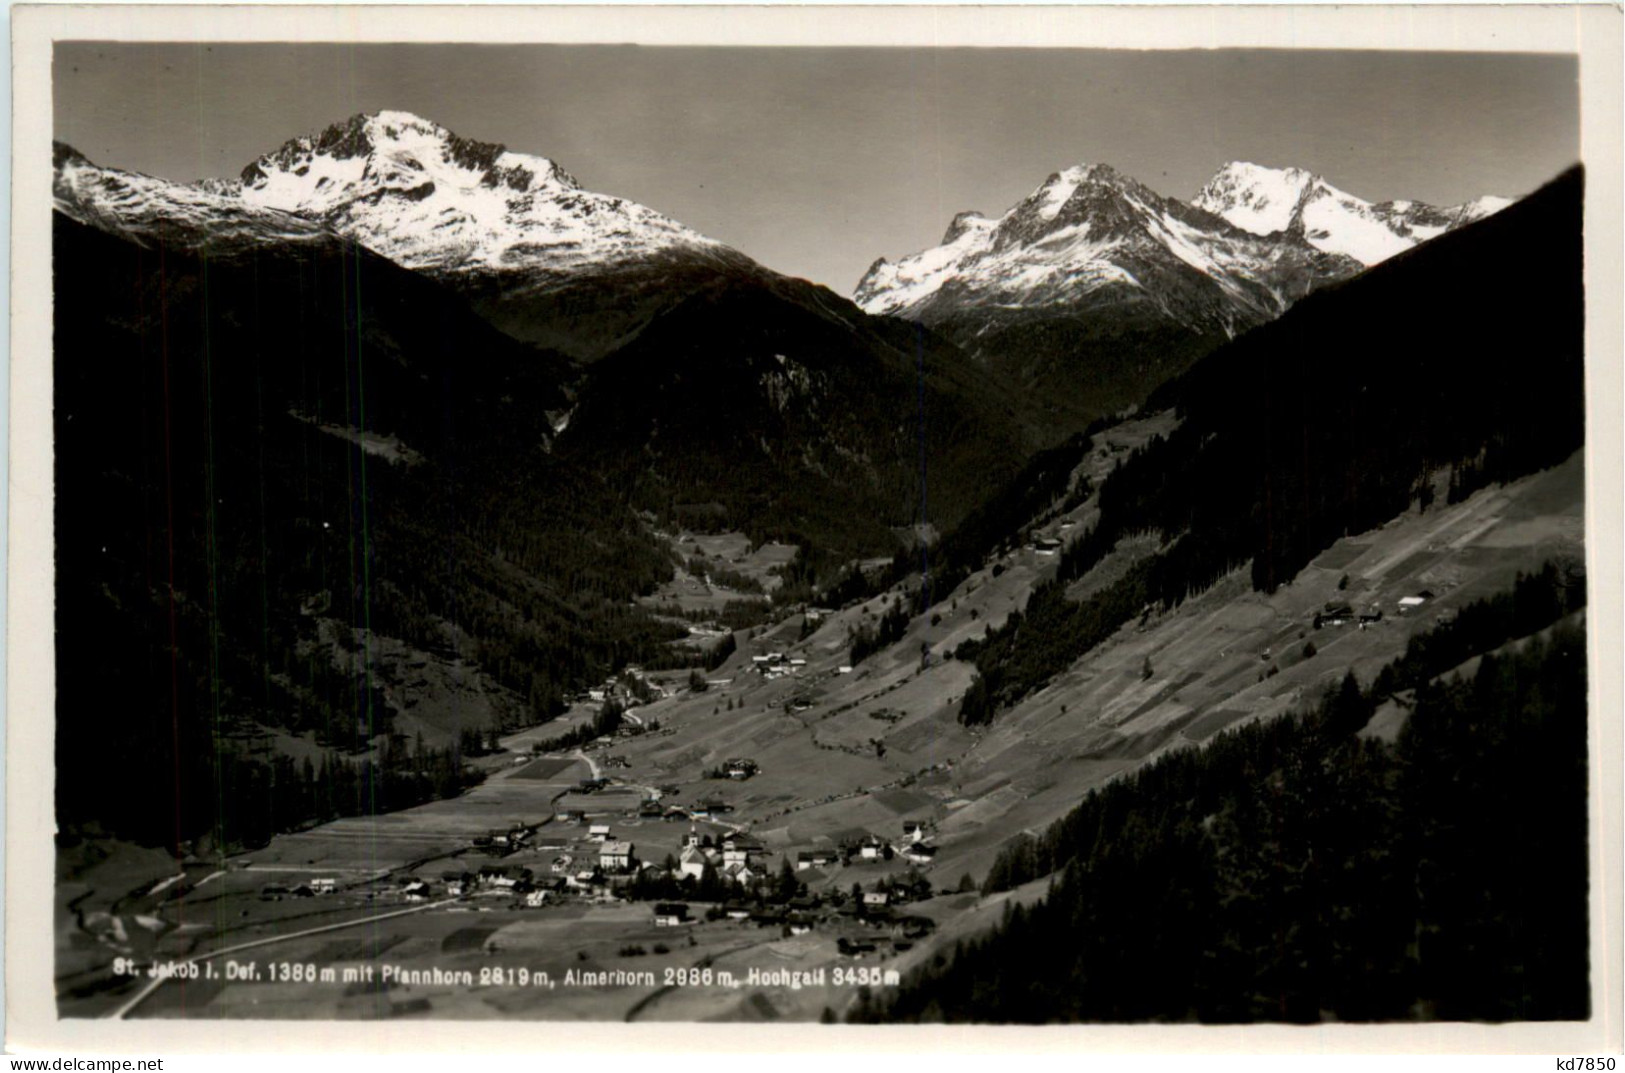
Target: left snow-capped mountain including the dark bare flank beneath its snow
{"x":539,"y":256}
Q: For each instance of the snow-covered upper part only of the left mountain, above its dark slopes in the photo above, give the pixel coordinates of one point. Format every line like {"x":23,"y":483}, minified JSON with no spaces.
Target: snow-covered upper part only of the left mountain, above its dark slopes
{"x":404,"y":188}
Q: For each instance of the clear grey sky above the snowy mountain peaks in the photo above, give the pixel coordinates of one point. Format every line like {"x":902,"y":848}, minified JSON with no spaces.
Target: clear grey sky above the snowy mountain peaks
{"x":817,"y":162}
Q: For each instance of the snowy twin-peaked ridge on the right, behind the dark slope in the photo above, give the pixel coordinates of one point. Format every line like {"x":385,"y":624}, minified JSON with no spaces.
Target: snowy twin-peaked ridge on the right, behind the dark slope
{"x":1263,"y":237}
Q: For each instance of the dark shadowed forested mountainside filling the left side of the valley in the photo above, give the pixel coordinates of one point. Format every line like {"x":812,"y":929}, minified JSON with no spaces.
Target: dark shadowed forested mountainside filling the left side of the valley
{"x":259,"y":448}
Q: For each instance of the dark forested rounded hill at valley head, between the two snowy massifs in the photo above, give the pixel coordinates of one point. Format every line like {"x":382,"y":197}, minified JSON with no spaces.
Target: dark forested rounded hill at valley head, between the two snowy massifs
{"x":778,"y":407}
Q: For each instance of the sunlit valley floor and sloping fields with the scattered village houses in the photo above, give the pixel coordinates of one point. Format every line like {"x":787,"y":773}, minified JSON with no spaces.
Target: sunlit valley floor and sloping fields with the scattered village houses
{"x":791,"y":809}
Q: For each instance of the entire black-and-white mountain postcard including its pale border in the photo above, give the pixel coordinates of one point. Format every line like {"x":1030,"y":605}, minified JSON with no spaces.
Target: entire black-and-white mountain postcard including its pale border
{"x":818,"y":534}
